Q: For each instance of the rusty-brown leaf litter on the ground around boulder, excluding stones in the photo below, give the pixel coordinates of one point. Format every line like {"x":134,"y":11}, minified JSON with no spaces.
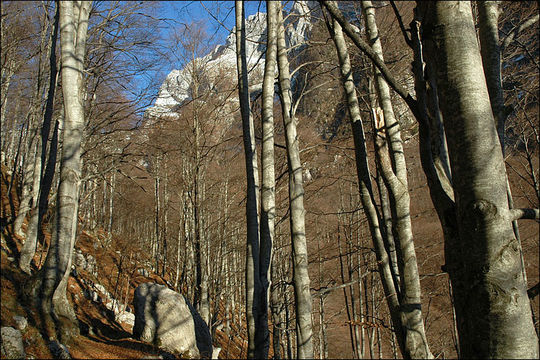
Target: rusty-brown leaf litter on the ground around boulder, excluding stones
{"x":102,"y":337}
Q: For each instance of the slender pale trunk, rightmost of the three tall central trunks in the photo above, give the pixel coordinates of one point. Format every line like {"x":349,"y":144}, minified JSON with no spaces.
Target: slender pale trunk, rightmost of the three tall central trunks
{"x":303,"y":303}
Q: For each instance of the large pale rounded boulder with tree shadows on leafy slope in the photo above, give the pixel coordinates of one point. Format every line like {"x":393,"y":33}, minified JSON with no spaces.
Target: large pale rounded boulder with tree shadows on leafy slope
{"x":166,"y":319}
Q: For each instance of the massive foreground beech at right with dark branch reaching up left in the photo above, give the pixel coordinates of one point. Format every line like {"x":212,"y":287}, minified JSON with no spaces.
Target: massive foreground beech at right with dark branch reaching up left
{"x":473,"y":210}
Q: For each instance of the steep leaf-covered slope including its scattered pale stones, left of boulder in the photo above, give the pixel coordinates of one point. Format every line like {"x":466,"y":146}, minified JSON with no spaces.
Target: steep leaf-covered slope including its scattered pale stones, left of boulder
{"x":94,"y":290}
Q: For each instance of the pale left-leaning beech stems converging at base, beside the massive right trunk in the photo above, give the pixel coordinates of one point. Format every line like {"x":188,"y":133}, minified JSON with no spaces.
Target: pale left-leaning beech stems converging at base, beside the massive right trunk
{"x":403,"y":296}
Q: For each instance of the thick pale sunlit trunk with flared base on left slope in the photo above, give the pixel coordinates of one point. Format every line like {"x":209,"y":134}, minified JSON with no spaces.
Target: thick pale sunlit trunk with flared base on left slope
{"x":50,"y":282}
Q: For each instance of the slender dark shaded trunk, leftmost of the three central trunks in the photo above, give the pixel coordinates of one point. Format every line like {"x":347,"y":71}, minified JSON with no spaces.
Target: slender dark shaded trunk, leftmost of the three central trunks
{"x":253,"y":284}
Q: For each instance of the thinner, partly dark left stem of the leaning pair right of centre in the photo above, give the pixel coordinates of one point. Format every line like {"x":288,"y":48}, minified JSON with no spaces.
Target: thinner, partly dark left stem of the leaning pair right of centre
{"x":364,"y":179}
